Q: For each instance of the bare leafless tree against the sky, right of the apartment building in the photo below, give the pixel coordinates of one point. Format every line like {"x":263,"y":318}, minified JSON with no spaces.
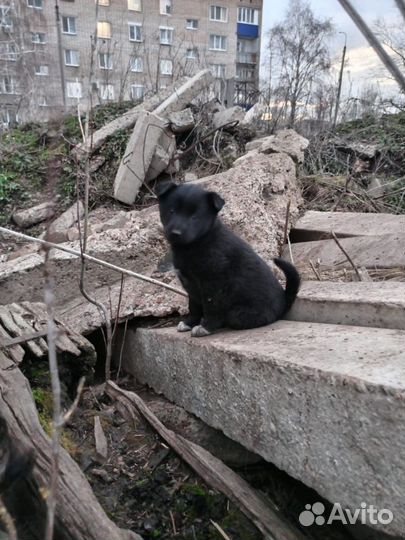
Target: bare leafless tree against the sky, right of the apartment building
{"x":299,"y":57}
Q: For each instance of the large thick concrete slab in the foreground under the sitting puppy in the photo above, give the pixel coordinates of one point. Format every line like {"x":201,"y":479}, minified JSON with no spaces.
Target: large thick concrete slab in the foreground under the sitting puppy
{"x":325,"y":403}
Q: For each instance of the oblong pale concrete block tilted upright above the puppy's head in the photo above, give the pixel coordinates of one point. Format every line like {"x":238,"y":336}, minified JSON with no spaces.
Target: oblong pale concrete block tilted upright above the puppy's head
{"x":139,"y":153}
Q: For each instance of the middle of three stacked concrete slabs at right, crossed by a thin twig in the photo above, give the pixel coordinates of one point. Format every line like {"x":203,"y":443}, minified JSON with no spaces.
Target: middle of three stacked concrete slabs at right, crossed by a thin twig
{"x":386,"y":251}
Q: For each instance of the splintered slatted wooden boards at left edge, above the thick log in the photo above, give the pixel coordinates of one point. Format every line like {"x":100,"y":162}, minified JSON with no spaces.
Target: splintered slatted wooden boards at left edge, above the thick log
{"x":23,"y":327}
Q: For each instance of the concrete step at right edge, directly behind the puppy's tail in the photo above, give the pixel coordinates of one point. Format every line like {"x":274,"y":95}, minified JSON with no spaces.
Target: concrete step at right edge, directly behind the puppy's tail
{"x":379,"y":304}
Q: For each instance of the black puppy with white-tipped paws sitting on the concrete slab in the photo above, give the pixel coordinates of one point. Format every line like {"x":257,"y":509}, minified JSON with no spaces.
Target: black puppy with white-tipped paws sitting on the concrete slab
{"x":228,"y":284}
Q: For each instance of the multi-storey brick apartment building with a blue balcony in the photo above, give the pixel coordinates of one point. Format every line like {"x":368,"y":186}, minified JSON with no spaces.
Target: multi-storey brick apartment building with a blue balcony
{"x":51,"y":49}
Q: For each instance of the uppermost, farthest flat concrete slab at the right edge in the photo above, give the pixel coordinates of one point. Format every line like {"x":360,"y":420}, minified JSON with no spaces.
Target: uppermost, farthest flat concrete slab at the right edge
{"x":318,"y":225}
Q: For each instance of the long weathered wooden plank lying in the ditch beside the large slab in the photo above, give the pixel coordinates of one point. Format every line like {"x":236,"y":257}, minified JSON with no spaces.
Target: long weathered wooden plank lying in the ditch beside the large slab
{"x":266,"y":518}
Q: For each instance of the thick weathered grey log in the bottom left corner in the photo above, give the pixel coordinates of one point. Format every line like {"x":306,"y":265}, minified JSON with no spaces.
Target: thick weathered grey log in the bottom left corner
{"x":79,"y":515}
